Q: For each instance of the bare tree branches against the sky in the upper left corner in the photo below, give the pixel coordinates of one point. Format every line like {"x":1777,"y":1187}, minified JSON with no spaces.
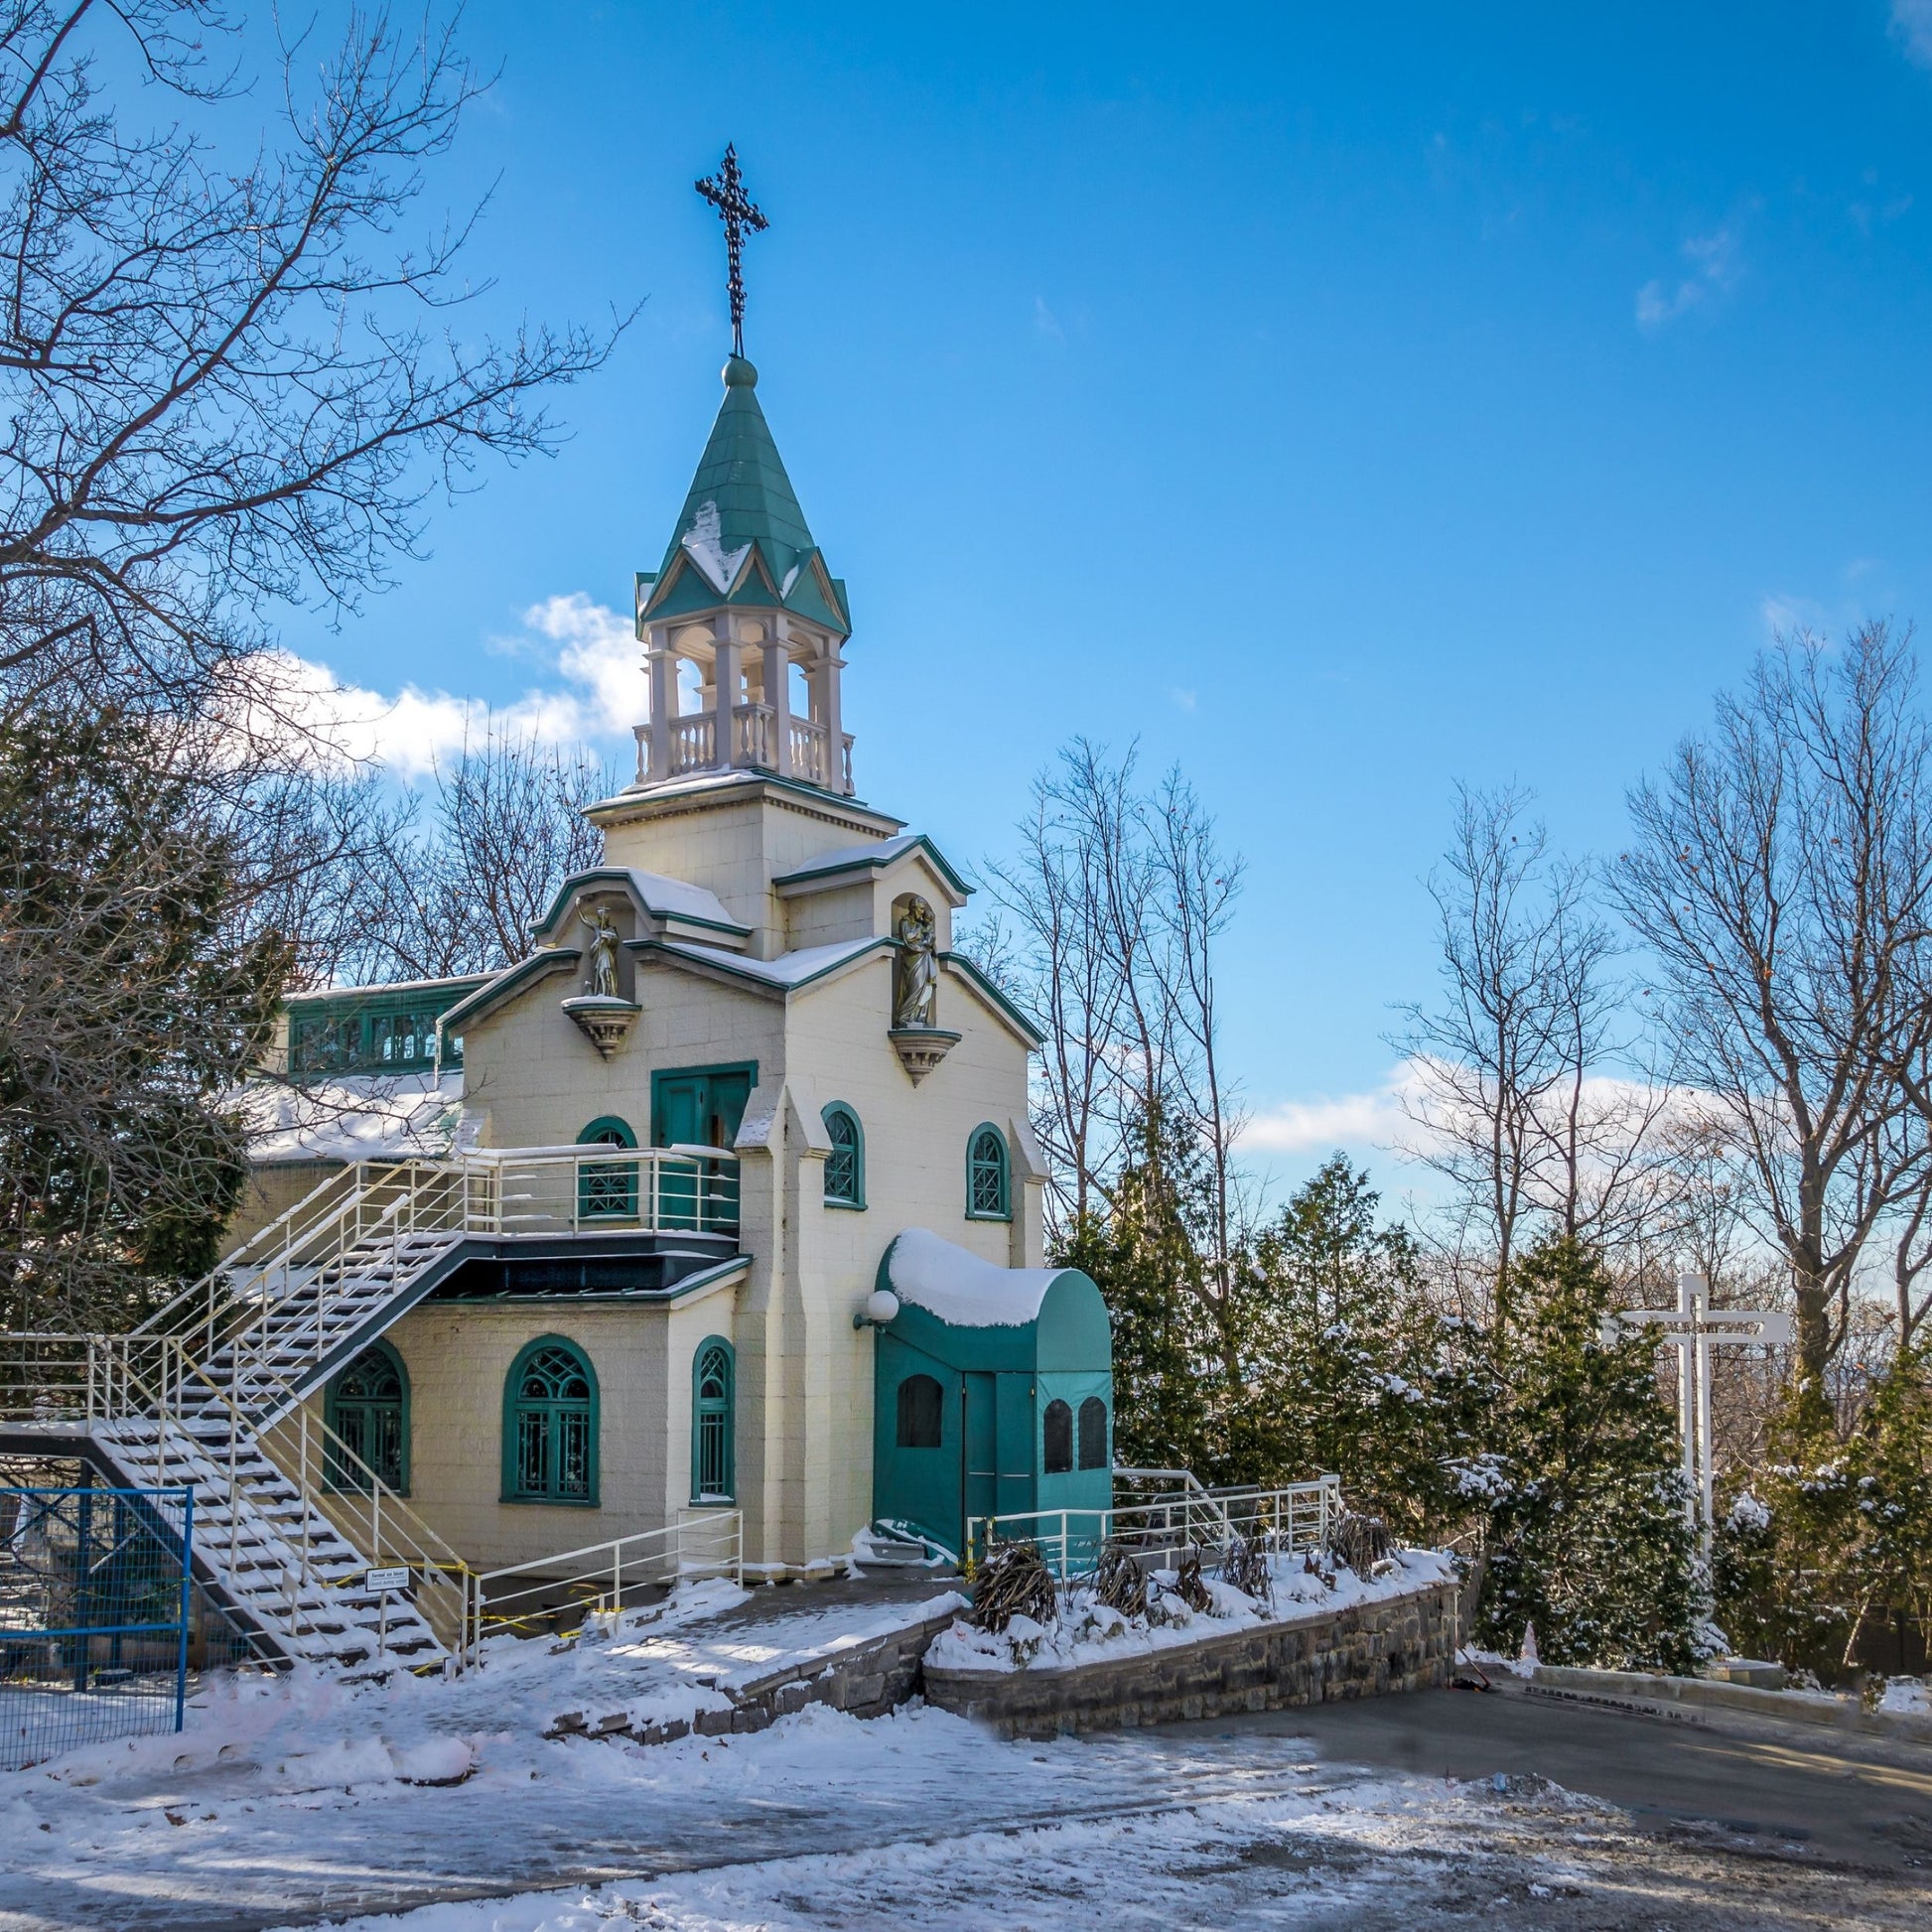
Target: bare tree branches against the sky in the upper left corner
{"x":221,"y":393}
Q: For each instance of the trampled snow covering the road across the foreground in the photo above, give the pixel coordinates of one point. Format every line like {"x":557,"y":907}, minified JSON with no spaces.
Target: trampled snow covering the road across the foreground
{"x":310,"y":1798}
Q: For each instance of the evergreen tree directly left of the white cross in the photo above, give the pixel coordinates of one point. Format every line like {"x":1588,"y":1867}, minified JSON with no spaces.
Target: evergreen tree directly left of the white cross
{"x":1587,"y":1531}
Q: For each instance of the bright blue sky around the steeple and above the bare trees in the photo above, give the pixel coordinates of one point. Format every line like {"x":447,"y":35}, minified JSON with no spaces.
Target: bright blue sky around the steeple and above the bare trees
{"x":1340,"y":401}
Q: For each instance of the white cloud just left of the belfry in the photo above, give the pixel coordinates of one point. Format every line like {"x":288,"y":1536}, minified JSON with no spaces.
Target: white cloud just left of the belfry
{"x":598,"y":695}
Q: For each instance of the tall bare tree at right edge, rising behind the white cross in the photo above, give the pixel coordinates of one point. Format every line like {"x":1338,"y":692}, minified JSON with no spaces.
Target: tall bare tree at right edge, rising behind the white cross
{"x":1782,"y":878}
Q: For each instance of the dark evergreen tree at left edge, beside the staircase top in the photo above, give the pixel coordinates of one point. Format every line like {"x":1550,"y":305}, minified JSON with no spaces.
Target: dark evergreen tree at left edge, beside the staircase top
{"x":128,"y":1009}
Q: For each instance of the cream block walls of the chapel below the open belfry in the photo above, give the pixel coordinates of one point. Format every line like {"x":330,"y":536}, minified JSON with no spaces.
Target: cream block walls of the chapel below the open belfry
{"x":805,"y":1377}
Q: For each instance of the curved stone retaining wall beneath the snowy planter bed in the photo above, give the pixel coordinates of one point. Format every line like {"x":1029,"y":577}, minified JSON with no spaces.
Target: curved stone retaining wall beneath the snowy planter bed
{"x":1402,"y":1643}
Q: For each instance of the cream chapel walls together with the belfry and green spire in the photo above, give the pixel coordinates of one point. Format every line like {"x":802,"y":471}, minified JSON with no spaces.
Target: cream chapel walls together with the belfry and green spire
{"x":753,"y":921}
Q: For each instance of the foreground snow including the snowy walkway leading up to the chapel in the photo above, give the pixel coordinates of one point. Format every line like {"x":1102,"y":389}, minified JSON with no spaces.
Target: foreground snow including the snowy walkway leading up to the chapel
{"x":441,"y":1805}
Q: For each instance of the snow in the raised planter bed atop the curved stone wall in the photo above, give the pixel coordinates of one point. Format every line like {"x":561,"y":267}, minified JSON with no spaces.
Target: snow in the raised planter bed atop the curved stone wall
{"x":1087,"y":1632}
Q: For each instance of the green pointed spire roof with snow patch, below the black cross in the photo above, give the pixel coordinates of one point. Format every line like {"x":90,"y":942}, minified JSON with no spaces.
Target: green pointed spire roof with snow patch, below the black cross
{"x":741,"y":536}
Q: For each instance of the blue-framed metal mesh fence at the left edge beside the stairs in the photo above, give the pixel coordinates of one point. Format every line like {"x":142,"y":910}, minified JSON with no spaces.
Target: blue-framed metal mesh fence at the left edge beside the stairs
{"x":94,"y":1616}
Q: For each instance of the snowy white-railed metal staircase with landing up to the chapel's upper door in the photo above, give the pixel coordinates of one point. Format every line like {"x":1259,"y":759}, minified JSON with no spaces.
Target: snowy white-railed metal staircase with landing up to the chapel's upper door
{"x":212,"y":1392}
